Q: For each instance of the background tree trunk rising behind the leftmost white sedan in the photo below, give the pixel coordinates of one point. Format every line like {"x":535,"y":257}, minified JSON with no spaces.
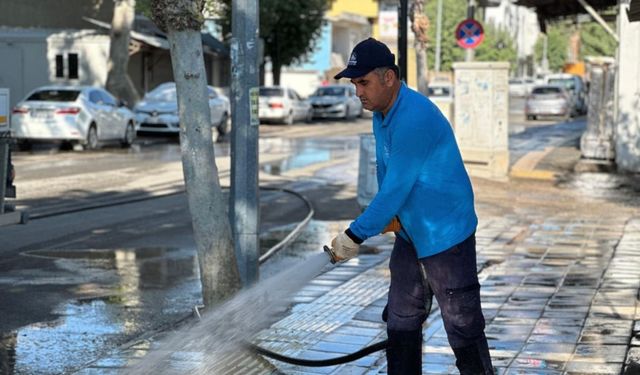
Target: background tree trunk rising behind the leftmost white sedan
{"x":118,"y":81}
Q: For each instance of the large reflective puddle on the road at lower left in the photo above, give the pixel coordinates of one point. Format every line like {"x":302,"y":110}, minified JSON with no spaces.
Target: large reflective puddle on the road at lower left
{"x":101,"y":298}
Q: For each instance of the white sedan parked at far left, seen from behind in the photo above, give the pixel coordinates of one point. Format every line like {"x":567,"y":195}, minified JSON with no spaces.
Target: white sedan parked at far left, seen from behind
{"x":83,"y":115}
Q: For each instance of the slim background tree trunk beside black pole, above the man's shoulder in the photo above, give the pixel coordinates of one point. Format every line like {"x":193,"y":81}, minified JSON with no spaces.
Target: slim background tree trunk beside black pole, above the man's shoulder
{"x":420,"y":25}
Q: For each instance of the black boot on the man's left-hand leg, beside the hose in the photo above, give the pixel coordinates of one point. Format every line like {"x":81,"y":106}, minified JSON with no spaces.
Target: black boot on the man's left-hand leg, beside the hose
{"x":404,"y":353}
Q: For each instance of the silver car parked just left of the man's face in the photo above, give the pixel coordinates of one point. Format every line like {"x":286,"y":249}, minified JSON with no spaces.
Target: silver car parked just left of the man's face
{"x":336,"y":101}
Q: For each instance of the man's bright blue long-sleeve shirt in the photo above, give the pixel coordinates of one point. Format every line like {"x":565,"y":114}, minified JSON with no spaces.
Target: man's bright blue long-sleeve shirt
{"x":421,"y":178}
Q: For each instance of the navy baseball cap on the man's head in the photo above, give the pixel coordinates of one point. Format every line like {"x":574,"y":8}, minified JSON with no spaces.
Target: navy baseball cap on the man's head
{"x":367,"y":56}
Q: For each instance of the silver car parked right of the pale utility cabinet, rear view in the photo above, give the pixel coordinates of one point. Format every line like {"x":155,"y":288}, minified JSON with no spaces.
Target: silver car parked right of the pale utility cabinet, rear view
{"x":548,"y":100}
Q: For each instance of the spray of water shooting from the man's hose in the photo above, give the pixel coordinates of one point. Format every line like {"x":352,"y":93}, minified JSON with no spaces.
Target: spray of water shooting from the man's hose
{"x":209,"y":344}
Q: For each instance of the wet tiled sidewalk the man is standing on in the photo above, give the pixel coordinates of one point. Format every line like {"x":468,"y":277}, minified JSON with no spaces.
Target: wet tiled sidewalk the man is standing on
{"x":560,"y":275}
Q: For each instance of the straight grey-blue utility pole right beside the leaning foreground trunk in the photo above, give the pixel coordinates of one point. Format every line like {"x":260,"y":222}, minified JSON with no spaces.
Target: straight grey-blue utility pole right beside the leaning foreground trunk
{"x":244,"y":207}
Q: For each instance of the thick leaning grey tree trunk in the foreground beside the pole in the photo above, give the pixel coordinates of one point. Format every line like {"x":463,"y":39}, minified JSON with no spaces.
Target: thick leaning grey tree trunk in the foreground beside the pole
{"x":219,"y":274}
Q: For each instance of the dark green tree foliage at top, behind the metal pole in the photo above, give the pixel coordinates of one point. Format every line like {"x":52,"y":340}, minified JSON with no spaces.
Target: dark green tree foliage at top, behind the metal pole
{"x":289,"y":28}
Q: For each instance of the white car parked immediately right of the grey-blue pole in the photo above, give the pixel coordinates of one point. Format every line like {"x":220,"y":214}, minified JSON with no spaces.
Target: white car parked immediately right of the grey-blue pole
{"x":283,"y":105}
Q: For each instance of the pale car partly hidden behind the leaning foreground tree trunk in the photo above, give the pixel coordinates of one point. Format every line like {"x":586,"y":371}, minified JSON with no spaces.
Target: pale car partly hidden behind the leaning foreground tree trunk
{"x":157,"y":112}
